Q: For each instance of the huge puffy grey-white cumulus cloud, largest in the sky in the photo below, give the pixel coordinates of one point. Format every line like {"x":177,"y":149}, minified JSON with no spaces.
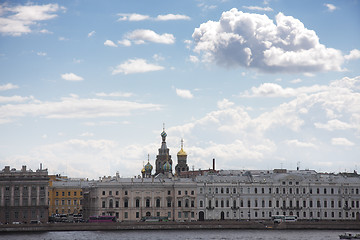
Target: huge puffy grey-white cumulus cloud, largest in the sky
{"x":250,"y":40}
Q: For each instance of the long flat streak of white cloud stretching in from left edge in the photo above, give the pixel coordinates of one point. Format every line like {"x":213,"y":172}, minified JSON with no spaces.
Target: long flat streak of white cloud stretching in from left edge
{"x":75,"y":107}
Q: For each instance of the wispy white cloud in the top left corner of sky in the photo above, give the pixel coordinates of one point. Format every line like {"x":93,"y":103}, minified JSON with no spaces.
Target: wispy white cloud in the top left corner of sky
{"x":17,"y":20}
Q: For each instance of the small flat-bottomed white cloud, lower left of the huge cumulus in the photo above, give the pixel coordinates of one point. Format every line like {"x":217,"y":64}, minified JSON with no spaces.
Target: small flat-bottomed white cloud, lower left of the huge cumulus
{"x":136,"y":66}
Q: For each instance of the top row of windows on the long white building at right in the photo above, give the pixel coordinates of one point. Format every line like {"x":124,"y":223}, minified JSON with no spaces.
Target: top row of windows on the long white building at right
{"x":282,"y":190}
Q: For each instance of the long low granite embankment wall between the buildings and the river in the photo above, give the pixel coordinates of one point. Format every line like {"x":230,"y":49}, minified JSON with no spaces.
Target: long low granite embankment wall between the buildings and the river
{"x":321,"y":225}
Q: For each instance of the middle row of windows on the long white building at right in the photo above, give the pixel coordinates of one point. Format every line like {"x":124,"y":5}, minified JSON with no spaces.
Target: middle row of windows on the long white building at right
{"x":291,"y":204}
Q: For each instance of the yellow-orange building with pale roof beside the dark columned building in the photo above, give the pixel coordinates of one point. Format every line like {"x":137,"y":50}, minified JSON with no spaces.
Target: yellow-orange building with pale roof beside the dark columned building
{"x":65,"y":195}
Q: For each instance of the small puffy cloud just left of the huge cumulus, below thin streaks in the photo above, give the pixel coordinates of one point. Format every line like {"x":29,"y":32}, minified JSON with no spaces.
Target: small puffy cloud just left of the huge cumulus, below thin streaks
{"x":141,"y":36}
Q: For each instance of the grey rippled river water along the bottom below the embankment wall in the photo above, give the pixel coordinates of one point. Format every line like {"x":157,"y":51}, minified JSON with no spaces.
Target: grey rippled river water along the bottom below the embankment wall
{"x":179,"y":235}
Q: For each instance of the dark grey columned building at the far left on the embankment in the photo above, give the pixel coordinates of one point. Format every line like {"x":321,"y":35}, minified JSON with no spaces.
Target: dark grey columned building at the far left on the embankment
{"x":23,"y":195}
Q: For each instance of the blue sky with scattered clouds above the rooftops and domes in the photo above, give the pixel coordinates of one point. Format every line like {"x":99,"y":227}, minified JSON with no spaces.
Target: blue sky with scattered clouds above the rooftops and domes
{"x":86,"y":86}
